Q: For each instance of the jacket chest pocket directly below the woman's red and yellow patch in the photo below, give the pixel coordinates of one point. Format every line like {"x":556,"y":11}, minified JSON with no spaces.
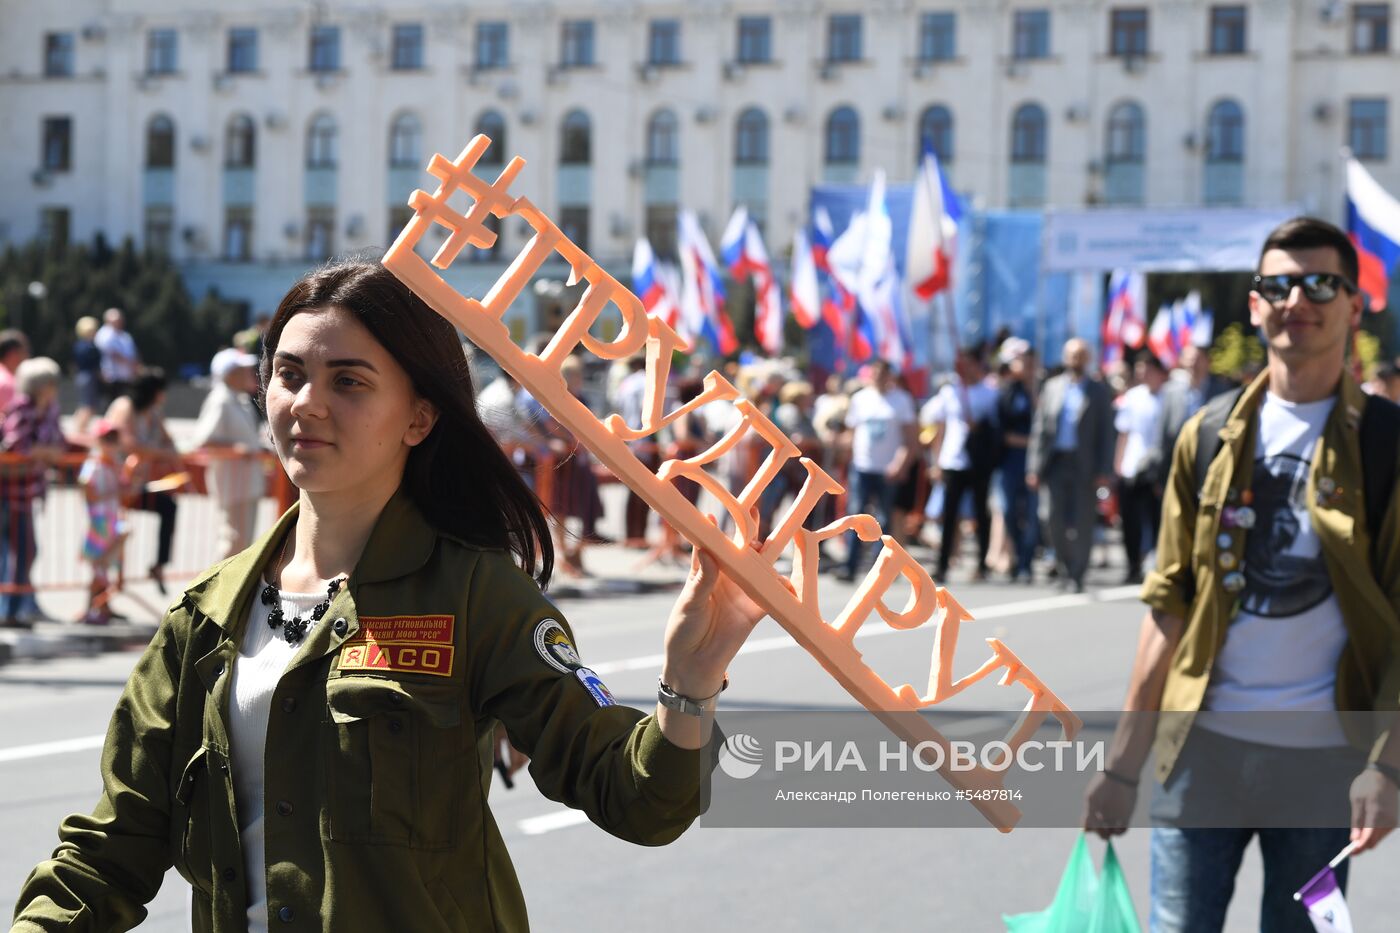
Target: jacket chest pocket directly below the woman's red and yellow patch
{"x":395,"y":761}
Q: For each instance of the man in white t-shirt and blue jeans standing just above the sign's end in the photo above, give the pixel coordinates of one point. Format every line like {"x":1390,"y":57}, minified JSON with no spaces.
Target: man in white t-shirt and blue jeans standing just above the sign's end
{"x":881,"y":424}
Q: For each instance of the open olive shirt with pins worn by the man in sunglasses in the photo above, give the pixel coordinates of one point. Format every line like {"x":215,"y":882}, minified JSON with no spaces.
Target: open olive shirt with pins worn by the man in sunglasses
{"x":1189,"y":583}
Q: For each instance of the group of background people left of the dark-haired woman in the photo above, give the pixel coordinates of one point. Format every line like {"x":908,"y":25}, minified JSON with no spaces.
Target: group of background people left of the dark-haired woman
{"x":118,"y":450}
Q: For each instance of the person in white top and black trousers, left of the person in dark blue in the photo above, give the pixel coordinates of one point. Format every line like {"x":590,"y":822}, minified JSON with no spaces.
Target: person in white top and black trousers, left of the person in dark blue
{"x":964,"y":417}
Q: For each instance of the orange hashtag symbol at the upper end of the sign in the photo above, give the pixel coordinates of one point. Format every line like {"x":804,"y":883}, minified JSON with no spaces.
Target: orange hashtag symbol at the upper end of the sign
{"x":489,"y":198}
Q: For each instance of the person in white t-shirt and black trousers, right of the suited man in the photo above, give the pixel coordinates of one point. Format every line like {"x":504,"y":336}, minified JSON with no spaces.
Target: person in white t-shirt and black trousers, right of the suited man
{"x":1140,"y":498}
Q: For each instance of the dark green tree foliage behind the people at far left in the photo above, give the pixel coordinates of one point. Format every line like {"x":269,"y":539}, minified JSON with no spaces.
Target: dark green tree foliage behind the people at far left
{"x":171,"y":329}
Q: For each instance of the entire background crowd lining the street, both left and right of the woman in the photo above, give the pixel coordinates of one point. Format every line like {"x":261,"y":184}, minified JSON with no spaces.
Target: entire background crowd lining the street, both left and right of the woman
{"x":1013,"y":462}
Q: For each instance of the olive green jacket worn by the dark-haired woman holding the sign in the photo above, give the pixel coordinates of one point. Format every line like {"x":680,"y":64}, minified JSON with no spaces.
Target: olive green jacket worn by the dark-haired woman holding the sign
{"x":379,"y":756}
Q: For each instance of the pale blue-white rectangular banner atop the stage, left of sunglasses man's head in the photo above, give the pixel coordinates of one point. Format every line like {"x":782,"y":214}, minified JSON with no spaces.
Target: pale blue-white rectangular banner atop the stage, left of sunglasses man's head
{"x":1210,"y":240}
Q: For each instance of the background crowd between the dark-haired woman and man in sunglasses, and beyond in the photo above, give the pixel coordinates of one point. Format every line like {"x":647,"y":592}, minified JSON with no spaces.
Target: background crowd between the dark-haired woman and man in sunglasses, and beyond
{"x":1020,"y":466}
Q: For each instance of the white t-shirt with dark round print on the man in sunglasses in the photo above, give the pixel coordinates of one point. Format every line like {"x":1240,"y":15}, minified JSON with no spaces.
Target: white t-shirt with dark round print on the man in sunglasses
{"x":1283,"y":647}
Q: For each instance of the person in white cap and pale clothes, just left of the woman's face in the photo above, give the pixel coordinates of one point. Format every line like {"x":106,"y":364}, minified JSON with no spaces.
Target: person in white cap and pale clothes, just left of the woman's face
{"x":230,"y":431}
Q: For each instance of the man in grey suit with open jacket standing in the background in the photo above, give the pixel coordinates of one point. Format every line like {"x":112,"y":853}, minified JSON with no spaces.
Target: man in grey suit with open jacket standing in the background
{"x":1070,"y":457}
